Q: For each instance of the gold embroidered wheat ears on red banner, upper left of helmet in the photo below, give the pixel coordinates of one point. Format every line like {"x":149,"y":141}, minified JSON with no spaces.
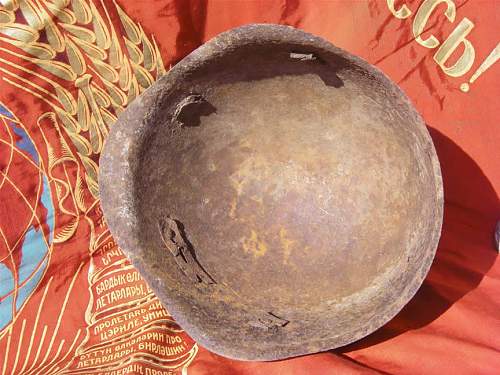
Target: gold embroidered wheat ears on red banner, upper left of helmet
{"x":82,"y":47}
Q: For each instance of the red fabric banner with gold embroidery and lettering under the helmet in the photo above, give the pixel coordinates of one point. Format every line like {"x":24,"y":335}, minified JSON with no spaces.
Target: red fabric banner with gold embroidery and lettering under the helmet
{"x":70,"y":302}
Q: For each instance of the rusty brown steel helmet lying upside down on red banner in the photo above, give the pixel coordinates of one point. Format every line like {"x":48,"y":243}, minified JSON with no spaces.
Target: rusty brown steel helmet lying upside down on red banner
{"x":280,"y":195}
